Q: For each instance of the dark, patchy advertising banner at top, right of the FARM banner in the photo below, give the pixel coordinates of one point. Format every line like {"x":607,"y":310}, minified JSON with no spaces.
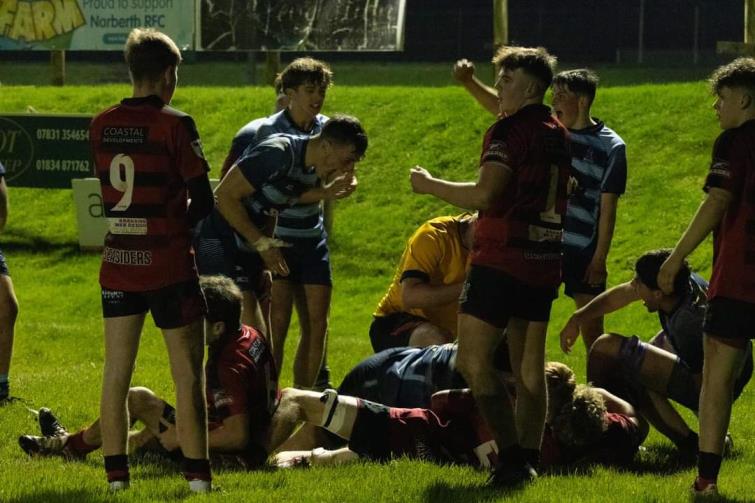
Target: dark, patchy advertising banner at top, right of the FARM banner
{"x":303,"y":25}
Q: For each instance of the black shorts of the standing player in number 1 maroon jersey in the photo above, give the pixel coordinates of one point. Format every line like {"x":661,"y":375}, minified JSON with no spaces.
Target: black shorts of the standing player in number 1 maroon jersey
{"x":494,"y":297}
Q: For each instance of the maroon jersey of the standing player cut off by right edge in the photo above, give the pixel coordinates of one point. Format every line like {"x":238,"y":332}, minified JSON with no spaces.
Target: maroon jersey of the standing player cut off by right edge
{"x":733,"y":169}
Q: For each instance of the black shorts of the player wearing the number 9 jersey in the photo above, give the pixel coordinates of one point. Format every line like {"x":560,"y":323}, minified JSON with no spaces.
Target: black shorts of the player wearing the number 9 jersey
{"x":172,"y":307}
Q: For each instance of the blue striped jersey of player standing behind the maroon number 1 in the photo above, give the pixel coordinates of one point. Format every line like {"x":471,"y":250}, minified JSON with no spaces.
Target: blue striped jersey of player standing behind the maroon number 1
{"x":599,"y":164}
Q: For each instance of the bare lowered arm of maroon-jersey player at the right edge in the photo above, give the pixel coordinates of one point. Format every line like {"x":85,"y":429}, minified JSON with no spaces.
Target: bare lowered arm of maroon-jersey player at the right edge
{"x":708,"y":216}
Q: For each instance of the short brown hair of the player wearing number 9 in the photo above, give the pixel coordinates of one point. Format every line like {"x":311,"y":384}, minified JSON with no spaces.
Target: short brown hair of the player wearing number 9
{"x":149,"y":53}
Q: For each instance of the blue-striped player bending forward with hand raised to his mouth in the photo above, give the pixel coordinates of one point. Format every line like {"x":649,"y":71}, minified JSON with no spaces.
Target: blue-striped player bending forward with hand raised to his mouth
{"x":272,"y":176}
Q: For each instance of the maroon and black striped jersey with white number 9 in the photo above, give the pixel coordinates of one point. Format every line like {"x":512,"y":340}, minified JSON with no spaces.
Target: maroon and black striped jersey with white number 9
{"x":144,"y":153}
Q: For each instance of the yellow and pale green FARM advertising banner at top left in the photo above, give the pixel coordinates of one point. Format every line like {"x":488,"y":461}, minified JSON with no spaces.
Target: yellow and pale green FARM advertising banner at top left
{"x":91,"y":25}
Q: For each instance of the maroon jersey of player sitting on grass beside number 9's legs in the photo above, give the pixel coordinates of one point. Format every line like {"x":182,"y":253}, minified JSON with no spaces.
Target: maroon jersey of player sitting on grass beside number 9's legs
{"x":242,"y":379}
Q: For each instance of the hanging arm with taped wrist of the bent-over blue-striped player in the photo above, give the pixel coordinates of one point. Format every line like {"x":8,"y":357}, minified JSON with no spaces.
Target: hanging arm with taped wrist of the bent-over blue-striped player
{"x":230,"y":193}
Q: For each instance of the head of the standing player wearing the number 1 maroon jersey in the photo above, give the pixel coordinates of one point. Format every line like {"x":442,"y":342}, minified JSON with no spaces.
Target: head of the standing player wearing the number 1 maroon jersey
{"x":524,"y":76}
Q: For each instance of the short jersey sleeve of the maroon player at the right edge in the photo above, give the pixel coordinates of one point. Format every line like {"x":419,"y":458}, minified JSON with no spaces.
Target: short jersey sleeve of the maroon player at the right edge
{"x":728,"y":165}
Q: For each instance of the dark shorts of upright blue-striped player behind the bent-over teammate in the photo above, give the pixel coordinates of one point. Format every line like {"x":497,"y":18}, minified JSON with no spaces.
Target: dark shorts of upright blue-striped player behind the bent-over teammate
{"x":308,"y":261}
